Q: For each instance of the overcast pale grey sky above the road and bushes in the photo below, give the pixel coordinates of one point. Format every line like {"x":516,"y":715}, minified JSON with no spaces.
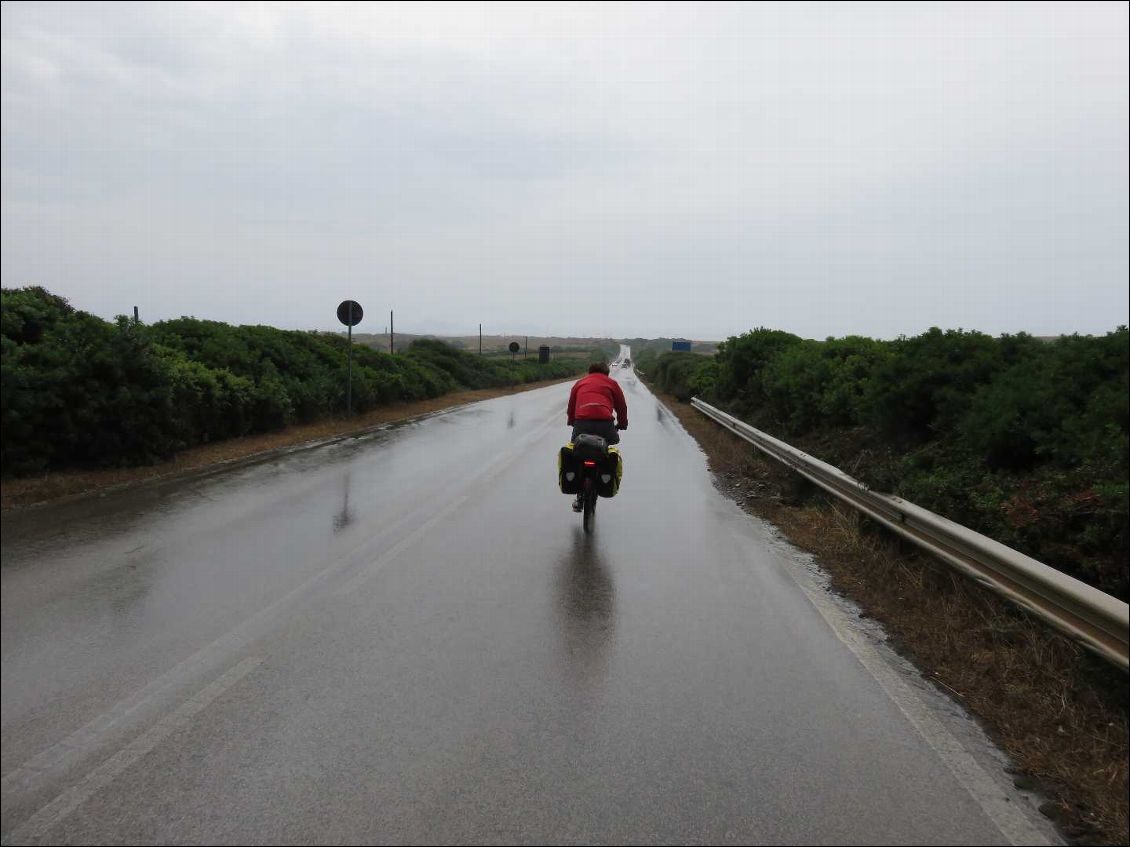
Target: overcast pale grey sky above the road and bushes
{"x":639,"y":170}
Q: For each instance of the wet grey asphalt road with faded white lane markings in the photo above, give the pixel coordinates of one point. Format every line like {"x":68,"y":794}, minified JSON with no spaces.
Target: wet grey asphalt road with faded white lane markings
{"x":407,"y":639}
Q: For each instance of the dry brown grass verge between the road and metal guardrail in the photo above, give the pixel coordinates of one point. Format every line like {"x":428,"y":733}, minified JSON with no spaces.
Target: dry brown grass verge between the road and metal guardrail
{"x":1057,"y":711}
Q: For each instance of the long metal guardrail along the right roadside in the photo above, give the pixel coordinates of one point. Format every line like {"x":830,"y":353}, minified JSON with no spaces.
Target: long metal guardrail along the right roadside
{"x":1091,"y":617}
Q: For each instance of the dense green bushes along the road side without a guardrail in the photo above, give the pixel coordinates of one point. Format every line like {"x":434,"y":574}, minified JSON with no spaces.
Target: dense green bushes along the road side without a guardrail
{"x":79,"y":391}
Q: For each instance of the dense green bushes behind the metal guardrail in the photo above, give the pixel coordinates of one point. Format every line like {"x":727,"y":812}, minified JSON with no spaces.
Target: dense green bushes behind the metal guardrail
{"x":1021,"y":439}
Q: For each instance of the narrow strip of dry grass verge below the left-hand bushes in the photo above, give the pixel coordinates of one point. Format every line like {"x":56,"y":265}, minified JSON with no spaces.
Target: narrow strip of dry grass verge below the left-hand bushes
{"x":67,"y":484}
